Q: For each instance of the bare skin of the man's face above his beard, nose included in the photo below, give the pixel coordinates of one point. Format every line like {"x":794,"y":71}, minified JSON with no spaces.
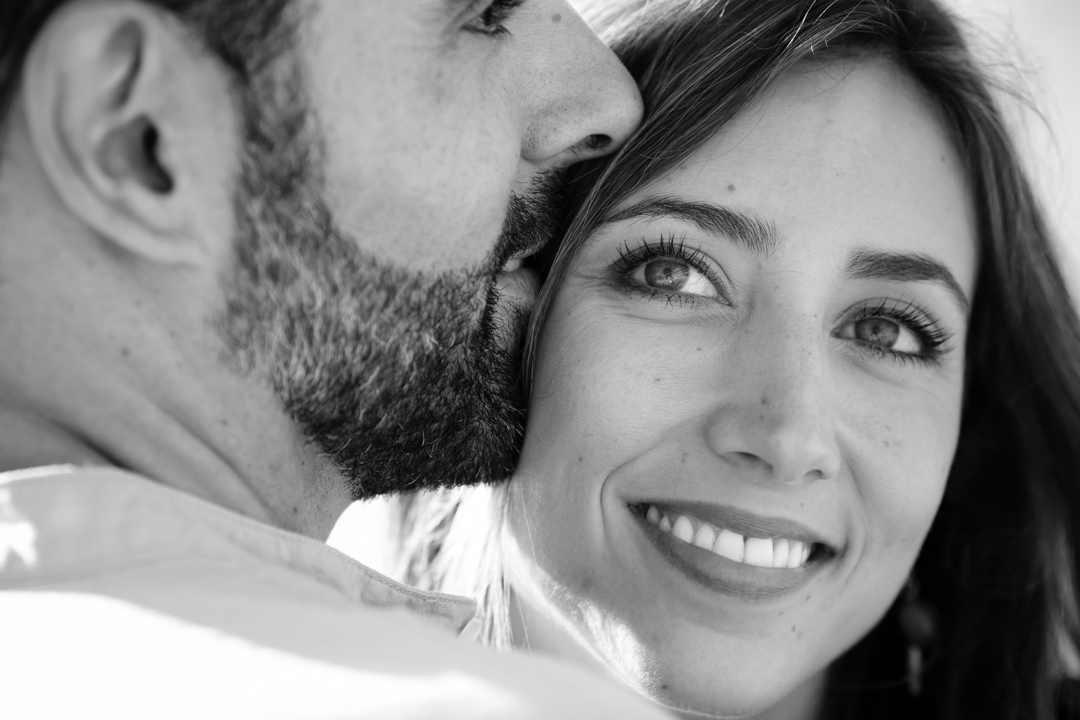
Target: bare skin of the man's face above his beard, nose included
{"x":431,"y":118}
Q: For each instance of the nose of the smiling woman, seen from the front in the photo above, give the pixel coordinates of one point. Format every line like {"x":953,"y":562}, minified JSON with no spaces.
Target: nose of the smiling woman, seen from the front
{"x":776,"y":420}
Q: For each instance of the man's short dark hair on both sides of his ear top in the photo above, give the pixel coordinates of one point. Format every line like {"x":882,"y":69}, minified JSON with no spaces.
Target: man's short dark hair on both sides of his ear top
{"x":245,"y":35}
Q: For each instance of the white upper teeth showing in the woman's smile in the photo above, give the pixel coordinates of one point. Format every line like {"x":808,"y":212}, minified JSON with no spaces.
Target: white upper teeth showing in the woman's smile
{"x":759,"y":552}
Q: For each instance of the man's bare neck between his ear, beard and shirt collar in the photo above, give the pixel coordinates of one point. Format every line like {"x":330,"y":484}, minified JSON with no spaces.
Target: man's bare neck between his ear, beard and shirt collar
{"x":110,"y":357}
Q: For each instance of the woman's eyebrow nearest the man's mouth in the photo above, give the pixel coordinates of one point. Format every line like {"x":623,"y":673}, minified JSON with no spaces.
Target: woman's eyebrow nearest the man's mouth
{"x":754,"y":235}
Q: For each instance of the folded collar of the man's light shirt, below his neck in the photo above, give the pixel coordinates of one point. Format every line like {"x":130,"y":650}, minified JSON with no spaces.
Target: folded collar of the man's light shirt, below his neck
{"x":64,"y":520}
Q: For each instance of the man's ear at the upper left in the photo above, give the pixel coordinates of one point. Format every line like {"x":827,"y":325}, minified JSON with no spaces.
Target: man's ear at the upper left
{"x":133,"y":126}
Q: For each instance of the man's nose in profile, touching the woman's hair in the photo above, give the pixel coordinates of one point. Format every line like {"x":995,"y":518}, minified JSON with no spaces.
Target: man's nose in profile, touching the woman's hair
{"x":584,"y":104}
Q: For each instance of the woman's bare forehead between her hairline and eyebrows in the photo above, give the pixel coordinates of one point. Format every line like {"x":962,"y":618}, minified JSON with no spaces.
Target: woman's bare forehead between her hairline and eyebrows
{"x":849,"y":154}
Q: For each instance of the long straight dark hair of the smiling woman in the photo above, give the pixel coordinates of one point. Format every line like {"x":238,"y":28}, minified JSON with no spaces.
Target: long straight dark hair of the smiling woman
{"x":1001,"y":561}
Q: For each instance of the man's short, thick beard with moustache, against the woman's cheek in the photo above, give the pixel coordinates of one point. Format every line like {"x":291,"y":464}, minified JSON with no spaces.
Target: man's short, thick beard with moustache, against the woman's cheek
{"x":406,"y":381}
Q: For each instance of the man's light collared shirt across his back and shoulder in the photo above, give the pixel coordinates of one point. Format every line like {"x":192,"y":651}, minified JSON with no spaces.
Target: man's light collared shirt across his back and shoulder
{"x":123,"y":599}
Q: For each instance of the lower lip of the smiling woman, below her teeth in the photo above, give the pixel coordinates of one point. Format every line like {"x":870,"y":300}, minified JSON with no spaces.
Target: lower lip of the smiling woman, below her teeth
{"x":722,"y":575}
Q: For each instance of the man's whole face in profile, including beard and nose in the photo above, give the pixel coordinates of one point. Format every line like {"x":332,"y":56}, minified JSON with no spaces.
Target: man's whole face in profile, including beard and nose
{"x":415,"y":159}
